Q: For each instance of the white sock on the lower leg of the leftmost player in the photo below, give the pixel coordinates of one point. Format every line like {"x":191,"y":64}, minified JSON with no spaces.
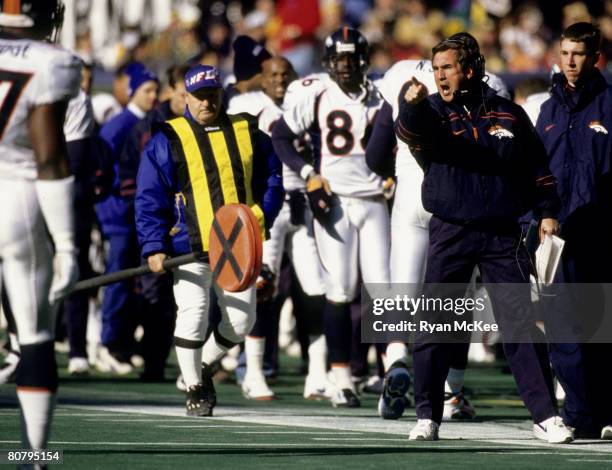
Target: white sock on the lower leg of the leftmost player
{"x":36,"y":412}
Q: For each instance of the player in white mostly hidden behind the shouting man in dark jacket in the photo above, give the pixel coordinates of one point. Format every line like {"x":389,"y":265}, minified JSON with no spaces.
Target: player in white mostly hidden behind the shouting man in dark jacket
{"x":410,"y":221}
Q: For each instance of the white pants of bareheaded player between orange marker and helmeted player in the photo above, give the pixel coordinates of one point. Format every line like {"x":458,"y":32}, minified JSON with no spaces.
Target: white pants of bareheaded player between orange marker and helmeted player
{"x":298,"y":241}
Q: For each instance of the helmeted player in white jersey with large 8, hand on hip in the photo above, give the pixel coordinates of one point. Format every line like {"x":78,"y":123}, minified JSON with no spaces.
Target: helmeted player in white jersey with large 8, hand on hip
{"x":351,"y":216}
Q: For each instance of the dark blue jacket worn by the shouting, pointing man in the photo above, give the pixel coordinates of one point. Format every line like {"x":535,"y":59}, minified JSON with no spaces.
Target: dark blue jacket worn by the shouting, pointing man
{"x":481,"y":158}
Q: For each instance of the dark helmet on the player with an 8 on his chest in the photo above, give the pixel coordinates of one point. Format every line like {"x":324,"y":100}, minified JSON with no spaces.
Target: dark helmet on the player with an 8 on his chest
{"x":346,"y":42}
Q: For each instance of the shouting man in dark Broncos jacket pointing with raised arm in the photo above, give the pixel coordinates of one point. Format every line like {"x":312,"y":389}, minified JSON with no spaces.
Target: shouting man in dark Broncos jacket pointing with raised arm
{"x":483,"y":168}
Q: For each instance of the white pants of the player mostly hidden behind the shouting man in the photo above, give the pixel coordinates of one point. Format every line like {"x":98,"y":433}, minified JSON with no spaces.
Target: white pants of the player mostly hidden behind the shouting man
{"x":409,"y":230}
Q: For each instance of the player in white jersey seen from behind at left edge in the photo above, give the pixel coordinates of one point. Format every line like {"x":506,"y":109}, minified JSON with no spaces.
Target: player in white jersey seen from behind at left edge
{"x":37,"y":80}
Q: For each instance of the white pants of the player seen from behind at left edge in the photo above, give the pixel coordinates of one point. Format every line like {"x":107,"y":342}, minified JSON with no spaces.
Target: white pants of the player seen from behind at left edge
{"x":27,"y":261}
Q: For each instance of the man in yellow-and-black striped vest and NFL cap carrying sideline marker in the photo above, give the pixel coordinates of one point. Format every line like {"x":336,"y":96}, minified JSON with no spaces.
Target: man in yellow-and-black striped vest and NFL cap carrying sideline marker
{"x":206,"y":159}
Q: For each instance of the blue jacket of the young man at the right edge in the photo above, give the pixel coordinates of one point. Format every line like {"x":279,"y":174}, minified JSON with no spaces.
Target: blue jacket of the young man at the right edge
{"x":576,"y":128}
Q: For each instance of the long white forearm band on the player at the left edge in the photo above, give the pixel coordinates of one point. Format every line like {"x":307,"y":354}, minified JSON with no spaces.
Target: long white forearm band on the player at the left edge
{"x":55,"y":198}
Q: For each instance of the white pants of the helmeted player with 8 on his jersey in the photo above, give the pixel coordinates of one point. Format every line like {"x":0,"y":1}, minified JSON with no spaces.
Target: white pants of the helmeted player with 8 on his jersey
{"x":362,"y":226}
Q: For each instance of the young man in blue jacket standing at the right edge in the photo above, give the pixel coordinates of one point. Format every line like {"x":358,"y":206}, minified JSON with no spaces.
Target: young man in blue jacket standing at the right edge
{"x":575,"y":125}
